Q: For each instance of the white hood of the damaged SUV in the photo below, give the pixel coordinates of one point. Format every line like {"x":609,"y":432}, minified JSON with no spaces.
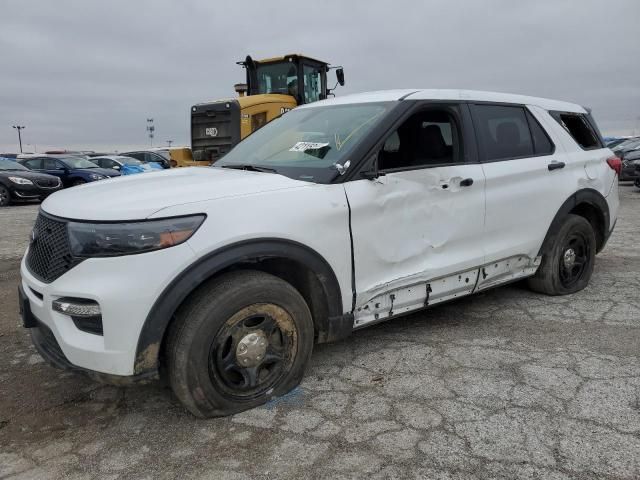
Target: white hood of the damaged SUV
{"x":134,"y":197}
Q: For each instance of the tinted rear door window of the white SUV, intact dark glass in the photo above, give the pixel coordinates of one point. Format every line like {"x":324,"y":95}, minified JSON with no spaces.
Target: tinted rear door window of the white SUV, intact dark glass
{"x":504,"y":131}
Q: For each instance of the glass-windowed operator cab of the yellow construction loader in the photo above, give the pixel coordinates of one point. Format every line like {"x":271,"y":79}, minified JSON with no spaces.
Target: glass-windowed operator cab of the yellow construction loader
{"x":303,"y":78}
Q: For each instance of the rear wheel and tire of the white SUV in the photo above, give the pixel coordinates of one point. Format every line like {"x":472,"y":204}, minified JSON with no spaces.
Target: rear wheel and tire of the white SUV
{"x":568,"y":258}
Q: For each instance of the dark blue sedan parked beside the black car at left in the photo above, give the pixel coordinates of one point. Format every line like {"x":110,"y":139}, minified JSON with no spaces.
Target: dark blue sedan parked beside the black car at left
{"x":71,"y":170}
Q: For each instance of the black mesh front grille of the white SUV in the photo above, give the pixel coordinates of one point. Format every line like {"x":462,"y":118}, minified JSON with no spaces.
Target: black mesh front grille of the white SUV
{"x":49,"y":251}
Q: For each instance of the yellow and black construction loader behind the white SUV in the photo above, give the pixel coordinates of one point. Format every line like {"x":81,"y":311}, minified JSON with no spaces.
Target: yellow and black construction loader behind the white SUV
{"x":273,"y":86}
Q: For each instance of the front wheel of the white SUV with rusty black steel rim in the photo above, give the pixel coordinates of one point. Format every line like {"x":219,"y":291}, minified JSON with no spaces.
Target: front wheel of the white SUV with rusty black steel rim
{"x":227,"y":321}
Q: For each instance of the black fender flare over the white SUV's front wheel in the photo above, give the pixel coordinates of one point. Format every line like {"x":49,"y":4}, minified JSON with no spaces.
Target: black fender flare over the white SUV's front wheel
{"x":337,"y":325}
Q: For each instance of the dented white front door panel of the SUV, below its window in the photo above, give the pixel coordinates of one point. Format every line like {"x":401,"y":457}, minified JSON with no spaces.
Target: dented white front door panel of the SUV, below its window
{"x":412,"y":226}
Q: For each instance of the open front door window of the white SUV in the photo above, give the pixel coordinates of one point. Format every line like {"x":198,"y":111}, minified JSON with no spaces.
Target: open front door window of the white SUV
{"x":428,"y":138}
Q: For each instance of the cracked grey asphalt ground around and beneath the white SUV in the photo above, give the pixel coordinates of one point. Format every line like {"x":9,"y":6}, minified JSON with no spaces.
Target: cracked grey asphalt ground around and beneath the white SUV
{"x":507,"y":384}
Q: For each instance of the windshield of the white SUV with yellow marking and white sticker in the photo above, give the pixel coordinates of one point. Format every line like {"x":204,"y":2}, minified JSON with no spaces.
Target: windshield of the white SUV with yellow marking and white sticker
{"x":307,"y":143}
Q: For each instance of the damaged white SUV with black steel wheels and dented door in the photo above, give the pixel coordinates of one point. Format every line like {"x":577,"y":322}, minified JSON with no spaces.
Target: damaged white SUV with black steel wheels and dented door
{"x":335,"y":216}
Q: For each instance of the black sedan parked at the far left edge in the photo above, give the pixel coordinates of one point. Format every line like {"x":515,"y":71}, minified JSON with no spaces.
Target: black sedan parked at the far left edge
{"x":18,"y":183}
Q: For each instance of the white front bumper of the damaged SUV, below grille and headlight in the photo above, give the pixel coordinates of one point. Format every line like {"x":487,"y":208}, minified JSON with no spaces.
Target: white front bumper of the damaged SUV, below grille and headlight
{"x":126,"y":289}
